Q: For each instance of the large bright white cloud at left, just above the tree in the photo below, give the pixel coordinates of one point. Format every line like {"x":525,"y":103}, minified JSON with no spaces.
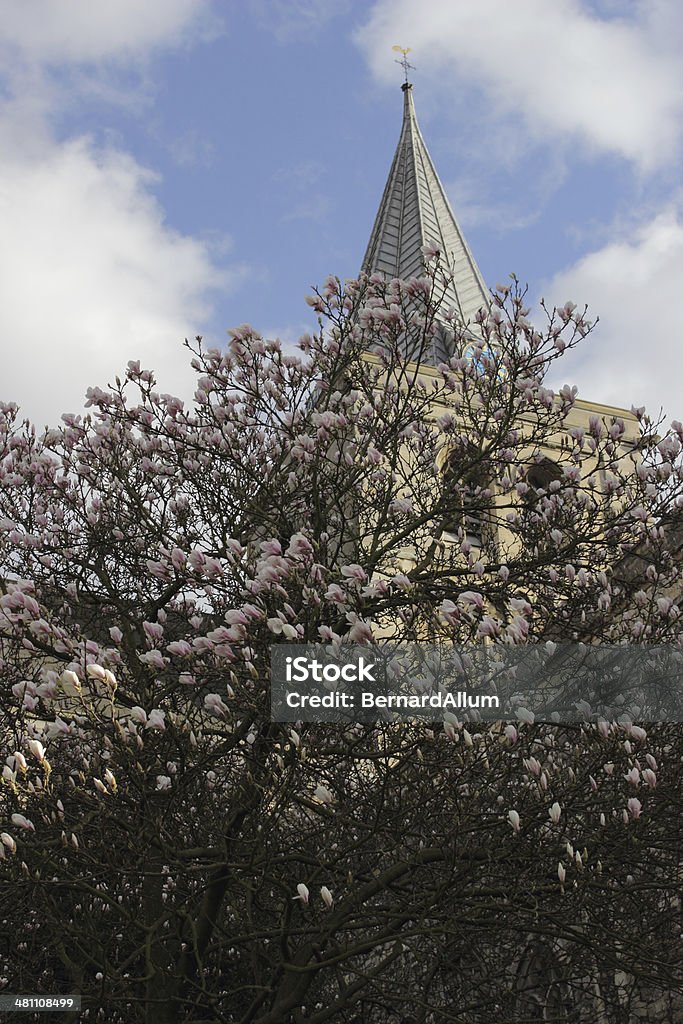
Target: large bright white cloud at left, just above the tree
{"x":93,"y":277}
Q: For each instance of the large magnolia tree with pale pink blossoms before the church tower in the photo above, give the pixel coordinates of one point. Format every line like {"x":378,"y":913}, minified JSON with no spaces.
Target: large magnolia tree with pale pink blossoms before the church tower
{"x":174,"y":855}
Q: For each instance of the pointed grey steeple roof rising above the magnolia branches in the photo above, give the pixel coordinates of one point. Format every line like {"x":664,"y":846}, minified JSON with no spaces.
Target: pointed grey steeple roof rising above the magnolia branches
{"x":415,"y":211}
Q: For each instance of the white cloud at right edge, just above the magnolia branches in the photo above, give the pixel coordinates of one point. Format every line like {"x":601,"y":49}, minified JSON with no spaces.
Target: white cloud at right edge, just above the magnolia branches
{"x":635,"y":356}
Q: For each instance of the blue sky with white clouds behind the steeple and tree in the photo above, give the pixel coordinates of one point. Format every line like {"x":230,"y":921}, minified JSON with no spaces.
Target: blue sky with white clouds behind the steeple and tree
{"x":177,"y":167}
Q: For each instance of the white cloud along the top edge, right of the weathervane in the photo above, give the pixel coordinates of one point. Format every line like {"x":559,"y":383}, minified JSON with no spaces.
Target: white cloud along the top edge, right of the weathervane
{"x":612,"y":84}
